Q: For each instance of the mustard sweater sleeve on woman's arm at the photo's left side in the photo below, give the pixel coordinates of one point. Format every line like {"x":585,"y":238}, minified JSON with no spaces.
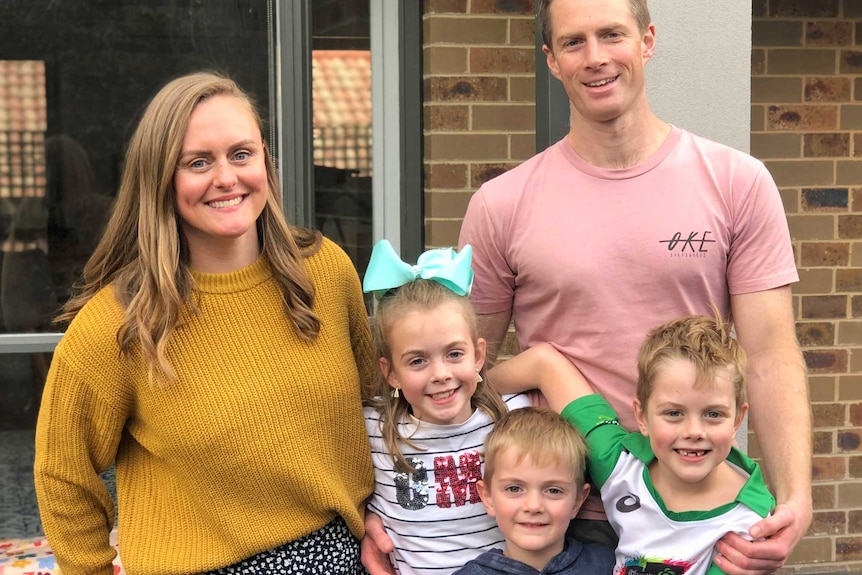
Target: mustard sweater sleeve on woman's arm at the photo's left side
{"x":76,"y":439}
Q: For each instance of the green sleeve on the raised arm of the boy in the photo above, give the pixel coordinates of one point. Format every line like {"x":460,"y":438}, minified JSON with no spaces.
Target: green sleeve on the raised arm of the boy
{"x":598,"y":422}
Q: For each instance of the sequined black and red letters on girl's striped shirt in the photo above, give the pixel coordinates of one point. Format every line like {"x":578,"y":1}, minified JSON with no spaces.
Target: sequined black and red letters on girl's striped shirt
{"x":454,"y":483}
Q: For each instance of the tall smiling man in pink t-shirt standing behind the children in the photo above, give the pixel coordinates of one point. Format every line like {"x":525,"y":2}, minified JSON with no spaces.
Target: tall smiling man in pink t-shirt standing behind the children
{"x":629,"y":222}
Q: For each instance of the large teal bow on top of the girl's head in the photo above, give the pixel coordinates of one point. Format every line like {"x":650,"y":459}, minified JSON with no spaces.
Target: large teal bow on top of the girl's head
{"x":386,"y":271}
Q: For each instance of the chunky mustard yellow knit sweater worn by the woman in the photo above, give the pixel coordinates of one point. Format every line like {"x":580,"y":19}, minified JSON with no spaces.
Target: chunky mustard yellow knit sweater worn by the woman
{"x":259,"y":442}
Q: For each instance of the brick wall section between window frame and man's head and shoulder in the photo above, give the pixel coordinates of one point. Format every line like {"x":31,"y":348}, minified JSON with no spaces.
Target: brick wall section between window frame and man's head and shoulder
{"x":479,"y":96}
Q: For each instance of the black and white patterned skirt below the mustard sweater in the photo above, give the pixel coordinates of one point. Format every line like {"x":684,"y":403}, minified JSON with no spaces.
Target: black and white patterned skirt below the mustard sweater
{"x":330,"y":549}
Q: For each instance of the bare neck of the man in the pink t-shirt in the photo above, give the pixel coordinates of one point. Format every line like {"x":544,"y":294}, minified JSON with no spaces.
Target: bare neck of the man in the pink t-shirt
{"x":620,"y":143}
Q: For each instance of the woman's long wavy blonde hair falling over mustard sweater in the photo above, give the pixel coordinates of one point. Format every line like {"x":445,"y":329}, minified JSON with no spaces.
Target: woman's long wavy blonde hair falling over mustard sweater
{"x":144,"y":254}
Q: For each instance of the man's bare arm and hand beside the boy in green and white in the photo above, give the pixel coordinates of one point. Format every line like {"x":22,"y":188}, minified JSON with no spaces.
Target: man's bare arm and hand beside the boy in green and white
{"x":781,"y":417}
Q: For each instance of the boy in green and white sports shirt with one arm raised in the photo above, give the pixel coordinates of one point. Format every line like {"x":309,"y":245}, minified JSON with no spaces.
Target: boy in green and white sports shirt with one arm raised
{"x":672,"y":490}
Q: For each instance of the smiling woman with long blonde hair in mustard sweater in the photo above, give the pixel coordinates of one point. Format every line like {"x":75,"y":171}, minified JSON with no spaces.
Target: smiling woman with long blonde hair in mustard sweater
{"x":215,"y":354}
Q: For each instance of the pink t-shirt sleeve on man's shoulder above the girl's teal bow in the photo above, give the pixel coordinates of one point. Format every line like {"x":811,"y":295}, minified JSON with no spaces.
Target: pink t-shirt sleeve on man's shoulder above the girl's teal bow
{"x":485,"y":230}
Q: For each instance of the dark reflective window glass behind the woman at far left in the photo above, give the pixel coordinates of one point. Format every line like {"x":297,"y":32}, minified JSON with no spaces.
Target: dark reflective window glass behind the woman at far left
{"x":74,"y":78}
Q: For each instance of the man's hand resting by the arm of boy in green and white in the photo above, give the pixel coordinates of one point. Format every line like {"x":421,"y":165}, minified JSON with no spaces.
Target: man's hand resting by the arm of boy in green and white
{"x":775,"y":537}
